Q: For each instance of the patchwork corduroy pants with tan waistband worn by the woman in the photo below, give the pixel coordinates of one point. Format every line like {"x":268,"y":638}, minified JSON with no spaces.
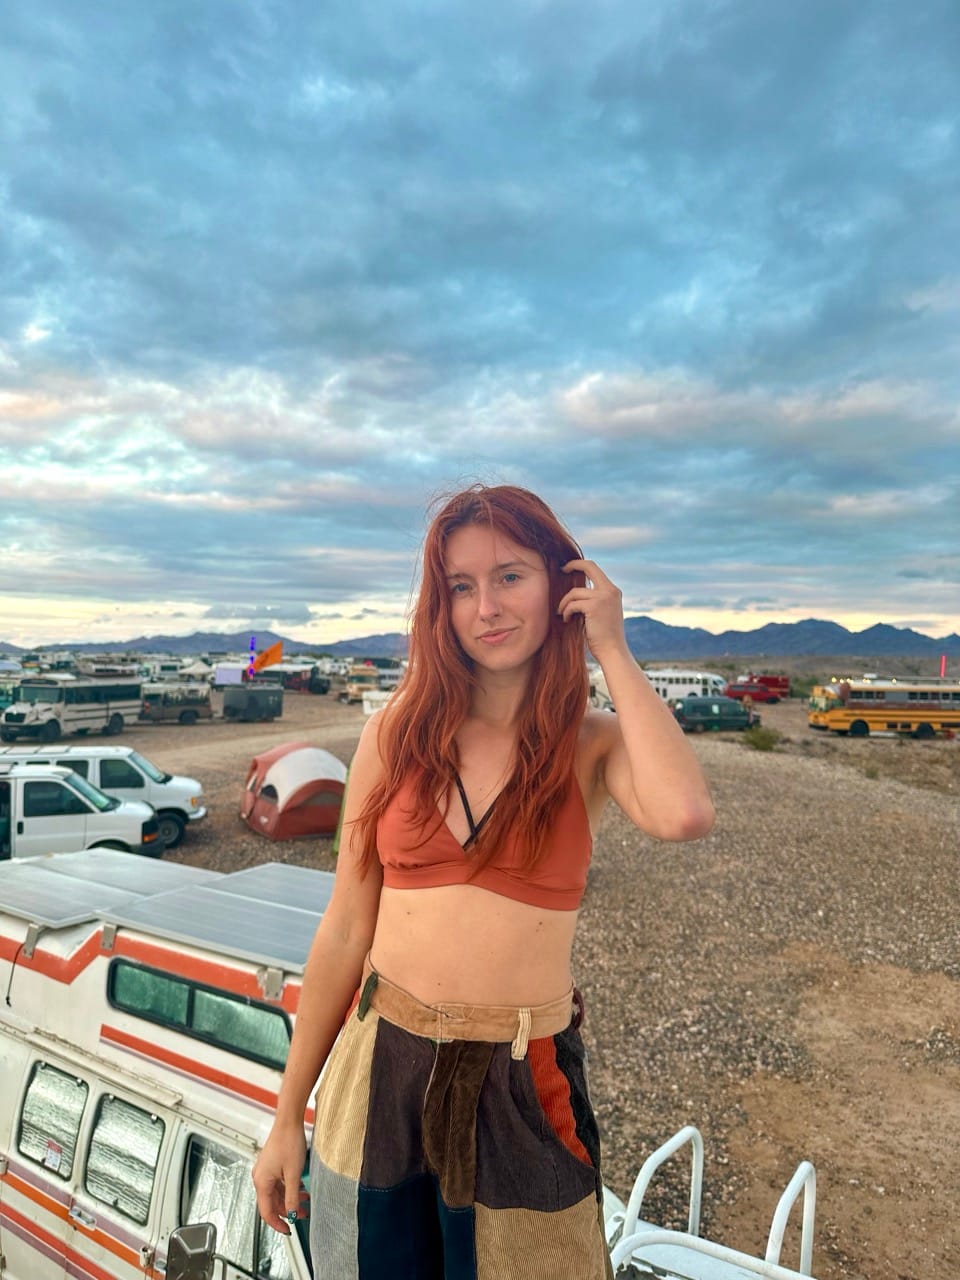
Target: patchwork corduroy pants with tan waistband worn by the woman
{"x":455,"y":1144}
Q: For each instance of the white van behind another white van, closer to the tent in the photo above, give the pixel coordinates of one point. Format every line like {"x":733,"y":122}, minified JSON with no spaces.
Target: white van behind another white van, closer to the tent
{"x":125,"y":774}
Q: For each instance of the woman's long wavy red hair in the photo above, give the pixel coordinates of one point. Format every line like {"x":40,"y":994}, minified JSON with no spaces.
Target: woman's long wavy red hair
{"x":419,"y":726}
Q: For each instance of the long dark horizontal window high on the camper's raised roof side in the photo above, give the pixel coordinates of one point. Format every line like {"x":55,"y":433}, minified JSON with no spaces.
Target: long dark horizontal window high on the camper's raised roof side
{"x":257,"y":1032}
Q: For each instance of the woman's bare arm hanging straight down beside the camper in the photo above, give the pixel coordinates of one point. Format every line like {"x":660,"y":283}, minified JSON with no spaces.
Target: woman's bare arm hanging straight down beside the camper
{"x":331,"y":980}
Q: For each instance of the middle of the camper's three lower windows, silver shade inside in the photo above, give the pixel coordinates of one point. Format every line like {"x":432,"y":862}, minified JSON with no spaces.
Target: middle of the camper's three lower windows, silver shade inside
{"x":125,"y":1148}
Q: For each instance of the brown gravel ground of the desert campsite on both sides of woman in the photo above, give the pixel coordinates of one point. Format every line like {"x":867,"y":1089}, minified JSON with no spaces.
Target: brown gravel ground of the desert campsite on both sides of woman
{"x":790,"y":985}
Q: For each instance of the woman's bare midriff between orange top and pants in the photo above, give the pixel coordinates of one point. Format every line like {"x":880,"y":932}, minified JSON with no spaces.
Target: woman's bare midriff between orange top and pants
{"x":460,"y":944}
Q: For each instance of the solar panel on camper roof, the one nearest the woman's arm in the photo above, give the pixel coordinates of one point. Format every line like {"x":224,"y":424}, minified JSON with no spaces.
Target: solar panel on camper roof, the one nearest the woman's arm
{"x":263,"y":932}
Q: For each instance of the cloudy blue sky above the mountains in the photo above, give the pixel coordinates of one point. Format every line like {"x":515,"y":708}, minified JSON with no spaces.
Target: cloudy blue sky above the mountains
{"x":276,"y":275}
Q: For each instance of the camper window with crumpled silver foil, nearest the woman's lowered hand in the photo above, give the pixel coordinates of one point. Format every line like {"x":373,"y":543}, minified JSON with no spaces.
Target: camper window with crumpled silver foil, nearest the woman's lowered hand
{"x":218,"y":1188}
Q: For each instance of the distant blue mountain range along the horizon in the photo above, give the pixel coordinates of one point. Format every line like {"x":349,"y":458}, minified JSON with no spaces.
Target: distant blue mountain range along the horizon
{"x":647,"y":638}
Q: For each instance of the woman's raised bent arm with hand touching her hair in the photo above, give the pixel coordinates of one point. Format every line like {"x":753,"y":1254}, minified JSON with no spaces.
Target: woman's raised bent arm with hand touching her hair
{"x":642,"y":758}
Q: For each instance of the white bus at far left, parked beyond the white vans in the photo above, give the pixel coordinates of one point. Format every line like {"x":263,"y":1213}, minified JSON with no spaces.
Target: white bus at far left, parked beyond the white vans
{"x":51,"y":706}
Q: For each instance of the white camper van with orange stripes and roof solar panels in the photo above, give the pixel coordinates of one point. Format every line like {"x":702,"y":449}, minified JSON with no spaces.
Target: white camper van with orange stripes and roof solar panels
{"x":143,"y":1044}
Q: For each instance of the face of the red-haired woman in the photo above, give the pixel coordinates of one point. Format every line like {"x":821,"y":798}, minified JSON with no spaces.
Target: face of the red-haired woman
{"x":500,"y":597}
